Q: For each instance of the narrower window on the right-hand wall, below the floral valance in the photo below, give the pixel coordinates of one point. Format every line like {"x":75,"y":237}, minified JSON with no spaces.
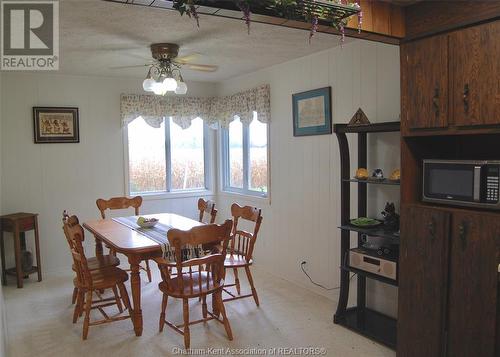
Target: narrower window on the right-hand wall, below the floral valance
{"x":245,"y":168}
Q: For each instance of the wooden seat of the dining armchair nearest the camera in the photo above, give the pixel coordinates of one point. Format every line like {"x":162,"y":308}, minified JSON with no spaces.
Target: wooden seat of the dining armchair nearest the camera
{"x":173,"y":288}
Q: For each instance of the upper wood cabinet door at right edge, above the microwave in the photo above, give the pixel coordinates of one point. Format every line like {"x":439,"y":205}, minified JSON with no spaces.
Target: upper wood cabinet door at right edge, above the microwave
{"x":475,"y":75}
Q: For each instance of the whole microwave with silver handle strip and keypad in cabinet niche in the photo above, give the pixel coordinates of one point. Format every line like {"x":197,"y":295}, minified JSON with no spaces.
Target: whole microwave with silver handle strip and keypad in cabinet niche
{"x":462,"y":182}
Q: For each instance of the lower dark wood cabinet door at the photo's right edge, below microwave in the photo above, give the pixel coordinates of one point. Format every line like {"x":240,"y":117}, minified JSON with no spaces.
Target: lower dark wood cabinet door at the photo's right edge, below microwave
{"x":474,"y":258}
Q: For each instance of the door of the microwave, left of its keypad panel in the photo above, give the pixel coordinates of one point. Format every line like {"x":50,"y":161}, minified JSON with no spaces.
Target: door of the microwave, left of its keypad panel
{"x":452,"y":182}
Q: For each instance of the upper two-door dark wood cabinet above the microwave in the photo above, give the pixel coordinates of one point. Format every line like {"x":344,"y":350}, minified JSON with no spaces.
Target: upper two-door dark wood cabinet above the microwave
{"x":452,"y":80}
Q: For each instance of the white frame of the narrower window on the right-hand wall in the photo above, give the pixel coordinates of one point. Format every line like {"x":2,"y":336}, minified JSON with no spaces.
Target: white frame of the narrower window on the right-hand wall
{"x":225,"y":166}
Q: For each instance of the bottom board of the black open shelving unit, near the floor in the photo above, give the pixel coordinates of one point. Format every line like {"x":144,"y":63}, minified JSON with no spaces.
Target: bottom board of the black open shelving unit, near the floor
{"x":369,"y":323}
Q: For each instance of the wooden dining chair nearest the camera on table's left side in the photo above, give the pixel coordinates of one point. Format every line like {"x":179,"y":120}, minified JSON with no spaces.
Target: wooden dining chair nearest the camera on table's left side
{"x":89,"y":282}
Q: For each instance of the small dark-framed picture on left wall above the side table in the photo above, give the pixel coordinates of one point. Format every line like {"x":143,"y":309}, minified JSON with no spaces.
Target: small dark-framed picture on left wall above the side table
{"x":56,"y":125}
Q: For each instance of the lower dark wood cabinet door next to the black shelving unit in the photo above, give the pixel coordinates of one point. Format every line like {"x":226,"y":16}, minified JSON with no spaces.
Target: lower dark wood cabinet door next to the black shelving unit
{"x":423,"y":268}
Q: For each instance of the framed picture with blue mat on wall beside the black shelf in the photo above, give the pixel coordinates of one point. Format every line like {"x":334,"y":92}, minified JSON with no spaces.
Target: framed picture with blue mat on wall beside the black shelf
{"x":312,"y":112}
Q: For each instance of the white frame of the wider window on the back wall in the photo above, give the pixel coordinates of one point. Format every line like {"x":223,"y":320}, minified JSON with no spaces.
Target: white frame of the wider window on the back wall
{"x":169,"y":192}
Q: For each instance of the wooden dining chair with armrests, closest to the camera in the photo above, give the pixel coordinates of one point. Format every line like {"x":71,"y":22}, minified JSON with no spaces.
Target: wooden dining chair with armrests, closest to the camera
{"x":190,"y":280}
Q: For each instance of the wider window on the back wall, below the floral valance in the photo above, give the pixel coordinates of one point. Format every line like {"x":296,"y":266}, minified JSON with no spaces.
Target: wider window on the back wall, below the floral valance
{"x":168,"y":158}
